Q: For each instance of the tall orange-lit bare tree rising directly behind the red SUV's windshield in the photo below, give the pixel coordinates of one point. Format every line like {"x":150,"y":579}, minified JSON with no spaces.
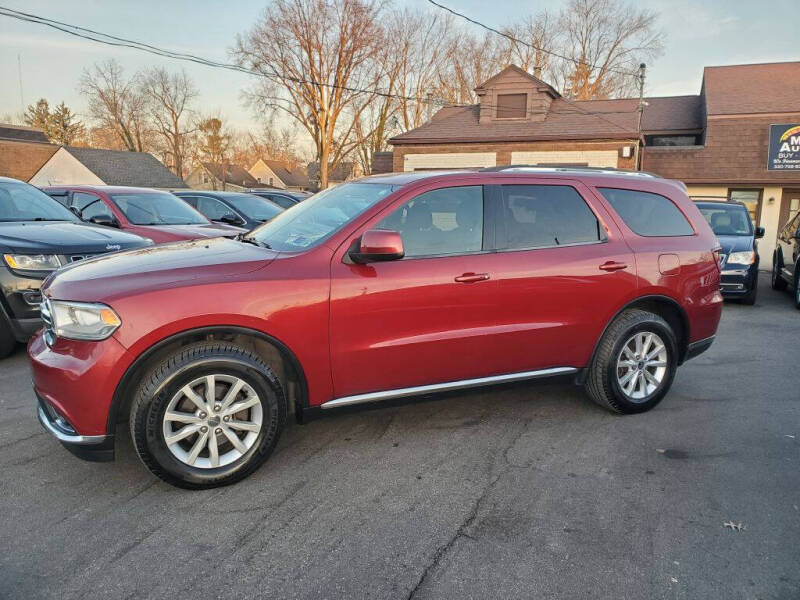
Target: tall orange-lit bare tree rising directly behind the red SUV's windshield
{"x":315,"y":56}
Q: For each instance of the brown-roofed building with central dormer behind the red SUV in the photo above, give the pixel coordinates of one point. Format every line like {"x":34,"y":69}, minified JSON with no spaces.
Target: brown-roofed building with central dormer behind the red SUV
{"x":520,"y":119}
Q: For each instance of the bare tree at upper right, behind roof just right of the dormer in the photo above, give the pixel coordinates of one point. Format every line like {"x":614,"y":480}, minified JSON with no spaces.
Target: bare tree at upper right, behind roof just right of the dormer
{"x":606,"y":41}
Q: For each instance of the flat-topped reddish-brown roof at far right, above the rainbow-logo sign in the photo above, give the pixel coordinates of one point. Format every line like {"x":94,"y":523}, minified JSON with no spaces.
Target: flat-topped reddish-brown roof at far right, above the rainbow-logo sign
{"x":749,"y":89}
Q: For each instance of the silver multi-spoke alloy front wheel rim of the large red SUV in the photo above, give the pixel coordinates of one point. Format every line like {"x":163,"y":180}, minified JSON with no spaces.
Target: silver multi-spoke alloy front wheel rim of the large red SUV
{"x":212,"y":421}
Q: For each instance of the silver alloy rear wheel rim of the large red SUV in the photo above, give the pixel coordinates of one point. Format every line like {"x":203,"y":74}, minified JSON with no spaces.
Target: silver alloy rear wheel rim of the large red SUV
{"x":641,"y":365}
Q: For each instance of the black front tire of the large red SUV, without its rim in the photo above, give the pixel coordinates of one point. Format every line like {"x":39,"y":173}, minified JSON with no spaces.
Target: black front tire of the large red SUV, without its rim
{"x":152,"y":415}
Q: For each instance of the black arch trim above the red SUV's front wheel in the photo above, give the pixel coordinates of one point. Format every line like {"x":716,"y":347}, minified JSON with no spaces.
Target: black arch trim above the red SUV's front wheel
{"x":118,"y":399}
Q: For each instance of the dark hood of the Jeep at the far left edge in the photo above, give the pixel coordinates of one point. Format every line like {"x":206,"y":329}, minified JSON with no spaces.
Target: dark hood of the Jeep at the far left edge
{"x":63,"y":237}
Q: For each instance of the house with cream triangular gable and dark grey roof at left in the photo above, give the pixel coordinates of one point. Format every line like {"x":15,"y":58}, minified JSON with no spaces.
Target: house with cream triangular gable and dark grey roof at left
{"x":94,"y":166}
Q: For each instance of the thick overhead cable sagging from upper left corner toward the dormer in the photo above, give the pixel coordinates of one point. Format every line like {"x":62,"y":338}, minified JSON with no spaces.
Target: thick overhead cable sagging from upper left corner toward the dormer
{"x":111,"y":40}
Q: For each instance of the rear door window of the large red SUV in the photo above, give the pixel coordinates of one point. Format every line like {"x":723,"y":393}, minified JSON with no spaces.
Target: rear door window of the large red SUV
{"x":538,"y":216}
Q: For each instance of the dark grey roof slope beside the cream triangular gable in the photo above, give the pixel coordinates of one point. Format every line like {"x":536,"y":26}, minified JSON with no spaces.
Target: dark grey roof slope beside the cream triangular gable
{"x":121,"y":167}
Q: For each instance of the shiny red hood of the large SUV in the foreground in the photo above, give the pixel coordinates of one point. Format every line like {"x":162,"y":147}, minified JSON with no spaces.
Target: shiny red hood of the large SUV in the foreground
{"x":104,"y":278}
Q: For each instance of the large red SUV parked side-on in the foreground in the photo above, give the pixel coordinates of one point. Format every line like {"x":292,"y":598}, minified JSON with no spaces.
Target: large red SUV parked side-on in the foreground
{"x":388,"y":287}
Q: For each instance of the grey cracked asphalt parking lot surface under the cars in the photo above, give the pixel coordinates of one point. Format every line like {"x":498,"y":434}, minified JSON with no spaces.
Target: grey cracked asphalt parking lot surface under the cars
{"x":528,"y":491}
